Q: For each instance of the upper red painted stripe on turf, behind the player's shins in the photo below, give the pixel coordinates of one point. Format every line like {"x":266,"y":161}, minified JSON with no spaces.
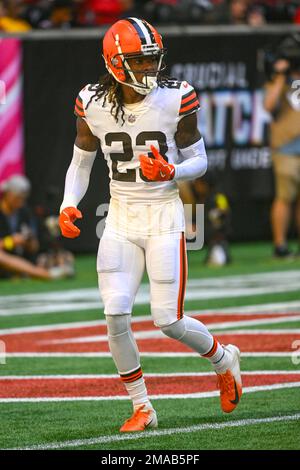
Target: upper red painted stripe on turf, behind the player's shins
{"x":150,"y":339}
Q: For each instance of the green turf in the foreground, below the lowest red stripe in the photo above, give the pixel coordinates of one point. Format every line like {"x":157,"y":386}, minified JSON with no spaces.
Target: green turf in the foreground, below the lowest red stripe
{"x":57,"y":423}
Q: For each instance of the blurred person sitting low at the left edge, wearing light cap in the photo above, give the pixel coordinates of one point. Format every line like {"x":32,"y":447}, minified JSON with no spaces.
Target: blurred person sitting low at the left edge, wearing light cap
{"x":19,"y":245}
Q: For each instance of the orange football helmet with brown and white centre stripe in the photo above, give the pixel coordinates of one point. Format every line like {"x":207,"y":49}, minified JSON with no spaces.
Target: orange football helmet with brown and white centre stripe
{"x":131,"y":38}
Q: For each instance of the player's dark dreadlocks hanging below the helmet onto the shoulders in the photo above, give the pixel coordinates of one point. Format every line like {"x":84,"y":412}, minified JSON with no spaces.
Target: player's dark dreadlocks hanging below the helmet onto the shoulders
{"x":111,"y":90}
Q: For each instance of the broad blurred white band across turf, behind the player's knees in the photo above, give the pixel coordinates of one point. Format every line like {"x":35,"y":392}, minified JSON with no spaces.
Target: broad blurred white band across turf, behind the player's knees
{"x":197,"y":289}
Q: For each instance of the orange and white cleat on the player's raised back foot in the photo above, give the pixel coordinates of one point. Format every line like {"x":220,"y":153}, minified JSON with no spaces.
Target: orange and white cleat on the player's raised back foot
{"x":230,"y":383}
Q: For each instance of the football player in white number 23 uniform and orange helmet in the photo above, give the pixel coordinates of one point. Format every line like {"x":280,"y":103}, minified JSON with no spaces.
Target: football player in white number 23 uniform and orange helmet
{"x":147,"y":128}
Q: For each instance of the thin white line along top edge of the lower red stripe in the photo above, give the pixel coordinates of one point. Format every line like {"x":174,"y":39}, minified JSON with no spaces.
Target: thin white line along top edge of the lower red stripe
{"x":160,"y":374}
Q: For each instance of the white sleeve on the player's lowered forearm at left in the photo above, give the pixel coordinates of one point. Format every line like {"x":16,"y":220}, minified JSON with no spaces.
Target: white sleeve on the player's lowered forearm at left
{"x":77,"y":177}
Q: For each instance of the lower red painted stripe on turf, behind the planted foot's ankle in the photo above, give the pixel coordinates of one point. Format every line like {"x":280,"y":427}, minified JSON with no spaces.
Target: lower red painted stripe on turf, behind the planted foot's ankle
{"x":109,"y":387}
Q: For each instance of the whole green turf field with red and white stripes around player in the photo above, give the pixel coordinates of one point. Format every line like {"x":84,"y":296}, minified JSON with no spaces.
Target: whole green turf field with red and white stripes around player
{"x":267,"y":417}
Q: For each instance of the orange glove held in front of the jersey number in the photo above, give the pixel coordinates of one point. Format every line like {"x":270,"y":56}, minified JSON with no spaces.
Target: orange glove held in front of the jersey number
{"x":156,"y":169}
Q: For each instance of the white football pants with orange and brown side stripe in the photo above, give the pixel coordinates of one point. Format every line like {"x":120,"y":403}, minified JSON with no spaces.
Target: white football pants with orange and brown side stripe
{"x":121,"y":263}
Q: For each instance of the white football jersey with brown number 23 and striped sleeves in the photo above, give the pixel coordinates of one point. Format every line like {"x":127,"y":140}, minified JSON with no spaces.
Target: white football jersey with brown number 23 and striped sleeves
{"x":152,"y":121}
